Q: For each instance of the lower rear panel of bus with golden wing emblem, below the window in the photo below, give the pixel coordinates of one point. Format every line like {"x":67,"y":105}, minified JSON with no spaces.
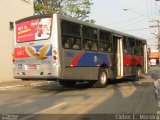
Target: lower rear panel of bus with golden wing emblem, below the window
{"x":31,"y":66}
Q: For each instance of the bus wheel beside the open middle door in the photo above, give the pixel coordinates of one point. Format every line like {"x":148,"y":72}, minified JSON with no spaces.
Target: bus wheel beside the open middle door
{"x":102,"y":78}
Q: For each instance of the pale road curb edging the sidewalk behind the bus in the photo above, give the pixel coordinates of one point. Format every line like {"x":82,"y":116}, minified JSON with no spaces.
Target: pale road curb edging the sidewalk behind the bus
{"x":14,"y":86}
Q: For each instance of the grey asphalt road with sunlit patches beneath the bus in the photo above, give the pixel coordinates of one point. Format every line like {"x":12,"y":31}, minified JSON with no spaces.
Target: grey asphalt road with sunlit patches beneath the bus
{"x":80,"y":102}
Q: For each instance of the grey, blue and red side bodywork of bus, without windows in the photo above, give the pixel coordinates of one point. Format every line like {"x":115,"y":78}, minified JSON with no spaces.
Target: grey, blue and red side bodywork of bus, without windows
{"x":76,"y":68}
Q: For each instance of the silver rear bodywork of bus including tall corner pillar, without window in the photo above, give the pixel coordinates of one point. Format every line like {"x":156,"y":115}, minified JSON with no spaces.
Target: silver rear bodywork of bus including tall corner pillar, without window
{"x":37,"y":59}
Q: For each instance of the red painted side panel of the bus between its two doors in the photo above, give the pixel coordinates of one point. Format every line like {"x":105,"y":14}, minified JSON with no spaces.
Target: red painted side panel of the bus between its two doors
{"x":130,"y":60}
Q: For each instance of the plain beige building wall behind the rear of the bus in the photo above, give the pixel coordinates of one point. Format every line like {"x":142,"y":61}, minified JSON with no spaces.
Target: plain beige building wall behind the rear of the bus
{"x":10,"y":11}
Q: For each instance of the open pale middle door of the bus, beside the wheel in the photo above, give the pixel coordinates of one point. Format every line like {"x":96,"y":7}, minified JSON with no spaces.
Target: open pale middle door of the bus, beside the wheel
{"x":118,"y":56}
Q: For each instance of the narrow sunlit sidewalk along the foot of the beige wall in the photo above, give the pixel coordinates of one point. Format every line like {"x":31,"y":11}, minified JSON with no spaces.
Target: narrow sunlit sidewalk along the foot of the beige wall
{"x":20,"y":83}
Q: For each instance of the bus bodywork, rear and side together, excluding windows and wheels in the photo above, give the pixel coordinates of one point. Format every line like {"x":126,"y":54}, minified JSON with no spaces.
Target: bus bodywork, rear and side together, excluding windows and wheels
{"x":47,"y":59}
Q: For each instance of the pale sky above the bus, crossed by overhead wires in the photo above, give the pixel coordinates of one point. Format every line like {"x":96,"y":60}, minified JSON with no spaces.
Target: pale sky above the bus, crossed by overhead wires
{"x":137,"y":20}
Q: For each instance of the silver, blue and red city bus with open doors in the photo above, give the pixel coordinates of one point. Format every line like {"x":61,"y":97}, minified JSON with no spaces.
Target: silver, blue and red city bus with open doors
{"x":60,"y":48}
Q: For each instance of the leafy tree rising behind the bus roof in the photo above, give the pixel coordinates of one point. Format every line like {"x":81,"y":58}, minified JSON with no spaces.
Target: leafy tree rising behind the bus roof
{"x":79,"y":9}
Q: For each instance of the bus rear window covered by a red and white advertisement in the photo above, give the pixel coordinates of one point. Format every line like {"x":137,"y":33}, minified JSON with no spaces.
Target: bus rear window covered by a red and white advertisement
{"x":35,"y":29}
